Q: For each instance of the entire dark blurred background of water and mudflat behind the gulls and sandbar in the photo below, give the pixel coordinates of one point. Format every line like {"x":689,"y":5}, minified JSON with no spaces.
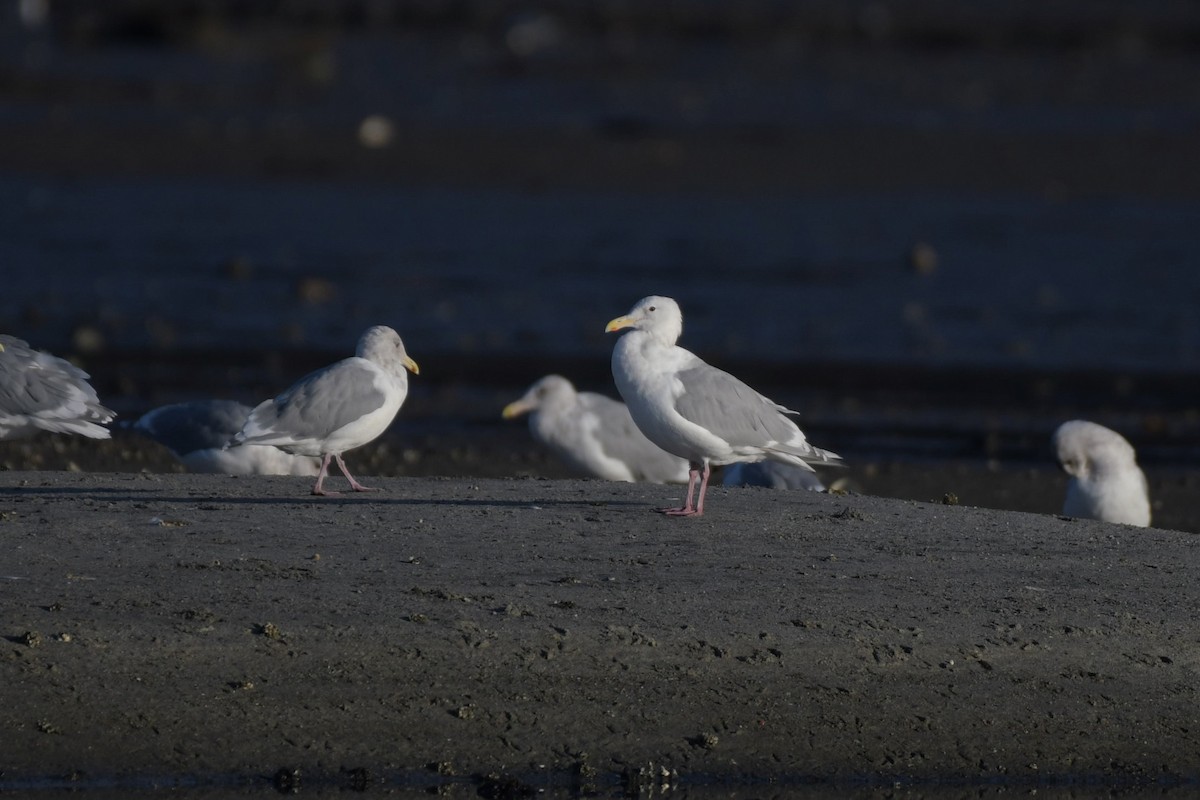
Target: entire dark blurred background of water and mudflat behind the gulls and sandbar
{"x":935,"y":228}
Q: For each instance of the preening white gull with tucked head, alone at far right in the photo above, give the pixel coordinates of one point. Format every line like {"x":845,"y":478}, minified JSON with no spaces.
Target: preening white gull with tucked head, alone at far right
{"x":1106,"y":482}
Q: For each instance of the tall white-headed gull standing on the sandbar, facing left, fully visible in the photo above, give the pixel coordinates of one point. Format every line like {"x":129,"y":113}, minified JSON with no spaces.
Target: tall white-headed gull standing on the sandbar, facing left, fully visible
{"x":695,"y":411}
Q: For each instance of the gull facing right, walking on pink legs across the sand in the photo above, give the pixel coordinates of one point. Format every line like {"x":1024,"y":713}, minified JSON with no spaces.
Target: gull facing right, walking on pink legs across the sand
{"x":339,"y":408}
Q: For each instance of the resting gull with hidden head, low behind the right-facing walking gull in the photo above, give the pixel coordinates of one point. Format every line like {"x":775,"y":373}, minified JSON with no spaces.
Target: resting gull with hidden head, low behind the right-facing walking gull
{"x":197,"y":434}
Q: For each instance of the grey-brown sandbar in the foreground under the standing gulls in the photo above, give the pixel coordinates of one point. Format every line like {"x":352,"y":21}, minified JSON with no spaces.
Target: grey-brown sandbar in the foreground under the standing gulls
{"x":209,"y":629}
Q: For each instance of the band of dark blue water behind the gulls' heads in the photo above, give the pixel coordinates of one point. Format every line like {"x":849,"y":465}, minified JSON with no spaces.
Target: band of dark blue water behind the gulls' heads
{"x":202,"y":264}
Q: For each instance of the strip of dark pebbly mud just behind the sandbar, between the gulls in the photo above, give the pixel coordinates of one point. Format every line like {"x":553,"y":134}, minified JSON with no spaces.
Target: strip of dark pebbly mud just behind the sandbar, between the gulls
{"x":421,"y":450}
